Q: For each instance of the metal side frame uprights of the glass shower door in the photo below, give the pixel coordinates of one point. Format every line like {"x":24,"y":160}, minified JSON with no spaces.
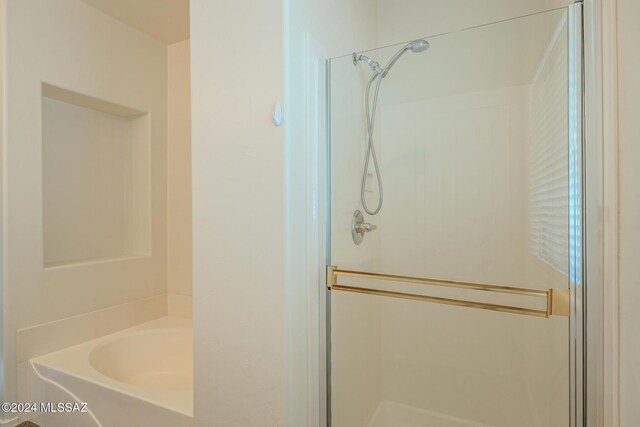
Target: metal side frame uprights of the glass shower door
{"x":586,"y":186}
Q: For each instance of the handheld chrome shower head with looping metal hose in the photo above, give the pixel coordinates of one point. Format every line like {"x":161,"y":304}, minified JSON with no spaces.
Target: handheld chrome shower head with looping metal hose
{"x":379,"y":73}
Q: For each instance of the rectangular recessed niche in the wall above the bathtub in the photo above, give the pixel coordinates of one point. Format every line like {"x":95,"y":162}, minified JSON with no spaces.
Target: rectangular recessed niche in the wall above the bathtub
{"x":96,"y":179}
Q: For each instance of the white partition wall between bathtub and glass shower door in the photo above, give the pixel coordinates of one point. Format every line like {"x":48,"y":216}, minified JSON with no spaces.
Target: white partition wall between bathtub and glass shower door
{"x":233,"y":141}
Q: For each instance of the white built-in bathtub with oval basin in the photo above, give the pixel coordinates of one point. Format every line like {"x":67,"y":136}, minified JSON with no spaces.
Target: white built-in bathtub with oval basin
{"x":142,"y":376}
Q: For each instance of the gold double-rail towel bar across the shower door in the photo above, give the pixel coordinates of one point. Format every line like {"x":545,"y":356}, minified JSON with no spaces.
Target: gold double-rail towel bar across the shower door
{"x":557,"y":299}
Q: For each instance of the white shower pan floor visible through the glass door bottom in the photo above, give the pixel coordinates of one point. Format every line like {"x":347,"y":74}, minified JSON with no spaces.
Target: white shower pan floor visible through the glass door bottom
{"x":394,"y":414}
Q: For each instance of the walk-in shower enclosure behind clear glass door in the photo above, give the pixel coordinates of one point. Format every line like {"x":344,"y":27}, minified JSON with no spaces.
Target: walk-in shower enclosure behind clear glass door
{"x":459,"y":302}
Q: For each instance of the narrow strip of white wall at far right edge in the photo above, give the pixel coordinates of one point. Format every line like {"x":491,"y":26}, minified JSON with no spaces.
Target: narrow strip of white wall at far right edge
{"x":629,"y":137}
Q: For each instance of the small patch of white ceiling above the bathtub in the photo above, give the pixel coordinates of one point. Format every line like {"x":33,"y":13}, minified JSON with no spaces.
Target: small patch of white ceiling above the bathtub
{"x":166,"y":20}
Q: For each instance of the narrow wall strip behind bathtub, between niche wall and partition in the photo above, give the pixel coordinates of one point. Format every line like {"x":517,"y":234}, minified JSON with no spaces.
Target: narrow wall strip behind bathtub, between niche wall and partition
{"x":179,"y":170}
